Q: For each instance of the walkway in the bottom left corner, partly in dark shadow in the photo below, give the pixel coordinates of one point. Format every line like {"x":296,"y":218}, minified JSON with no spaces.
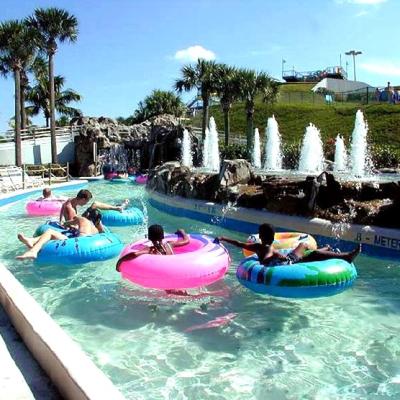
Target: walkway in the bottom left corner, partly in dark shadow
{"x":21,"y":378}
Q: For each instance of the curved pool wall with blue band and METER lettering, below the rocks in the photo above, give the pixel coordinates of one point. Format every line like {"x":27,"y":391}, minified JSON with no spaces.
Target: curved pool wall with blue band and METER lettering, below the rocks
{"x":376,"y":241}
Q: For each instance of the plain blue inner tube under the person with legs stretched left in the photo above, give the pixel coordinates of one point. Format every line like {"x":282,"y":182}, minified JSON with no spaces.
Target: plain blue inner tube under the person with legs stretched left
{"x":77,"y":250}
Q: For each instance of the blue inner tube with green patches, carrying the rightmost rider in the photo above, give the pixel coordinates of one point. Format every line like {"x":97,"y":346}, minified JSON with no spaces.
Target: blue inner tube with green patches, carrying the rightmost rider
{"x":299,"y":280}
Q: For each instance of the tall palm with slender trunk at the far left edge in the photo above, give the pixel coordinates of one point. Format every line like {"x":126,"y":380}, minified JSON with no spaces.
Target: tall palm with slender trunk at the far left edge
{"x":16,"y":49}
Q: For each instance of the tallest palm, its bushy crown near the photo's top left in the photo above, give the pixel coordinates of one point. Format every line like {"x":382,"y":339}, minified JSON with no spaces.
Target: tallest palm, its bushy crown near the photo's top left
{"x":52,"y":25}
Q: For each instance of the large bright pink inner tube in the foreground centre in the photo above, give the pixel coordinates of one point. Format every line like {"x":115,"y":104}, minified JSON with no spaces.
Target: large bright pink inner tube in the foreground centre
{"x":199,"y":263}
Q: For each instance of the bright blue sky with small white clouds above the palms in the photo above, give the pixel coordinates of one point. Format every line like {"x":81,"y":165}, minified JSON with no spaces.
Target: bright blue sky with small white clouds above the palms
{"x":126,"y":48}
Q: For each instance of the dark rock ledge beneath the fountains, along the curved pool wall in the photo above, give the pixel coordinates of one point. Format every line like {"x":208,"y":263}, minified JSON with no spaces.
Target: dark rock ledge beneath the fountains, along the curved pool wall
{"x":351,"y":202}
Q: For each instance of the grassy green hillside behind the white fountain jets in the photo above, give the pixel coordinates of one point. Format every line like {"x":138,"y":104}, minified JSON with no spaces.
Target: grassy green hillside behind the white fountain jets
{"x":383,"y":120}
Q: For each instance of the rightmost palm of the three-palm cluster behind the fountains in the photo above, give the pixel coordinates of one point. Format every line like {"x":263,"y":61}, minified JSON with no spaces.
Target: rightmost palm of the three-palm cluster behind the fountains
{"x":252,"y":84}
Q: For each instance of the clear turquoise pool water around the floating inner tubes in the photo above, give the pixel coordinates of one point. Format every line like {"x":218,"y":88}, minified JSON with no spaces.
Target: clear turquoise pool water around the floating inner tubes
{"x":158,"y":346}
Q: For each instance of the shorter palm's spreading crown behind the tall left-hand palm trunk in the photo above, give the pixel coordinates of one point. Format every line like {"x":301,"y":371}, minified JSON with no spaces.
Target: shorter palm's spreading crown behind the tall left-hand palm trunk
{"x":38,"y":98}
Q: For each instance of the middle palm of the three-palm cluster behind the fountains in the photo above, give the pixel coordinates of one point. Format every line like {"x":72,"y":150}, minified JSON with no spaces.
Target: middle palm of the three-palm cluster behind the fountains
{"x":228,"y":90}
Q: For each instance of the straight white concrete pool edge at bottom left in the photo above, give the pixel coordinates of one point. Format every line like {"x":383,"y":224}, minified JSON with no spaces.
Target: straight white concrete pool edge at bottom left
{"x":70,"y":369}
